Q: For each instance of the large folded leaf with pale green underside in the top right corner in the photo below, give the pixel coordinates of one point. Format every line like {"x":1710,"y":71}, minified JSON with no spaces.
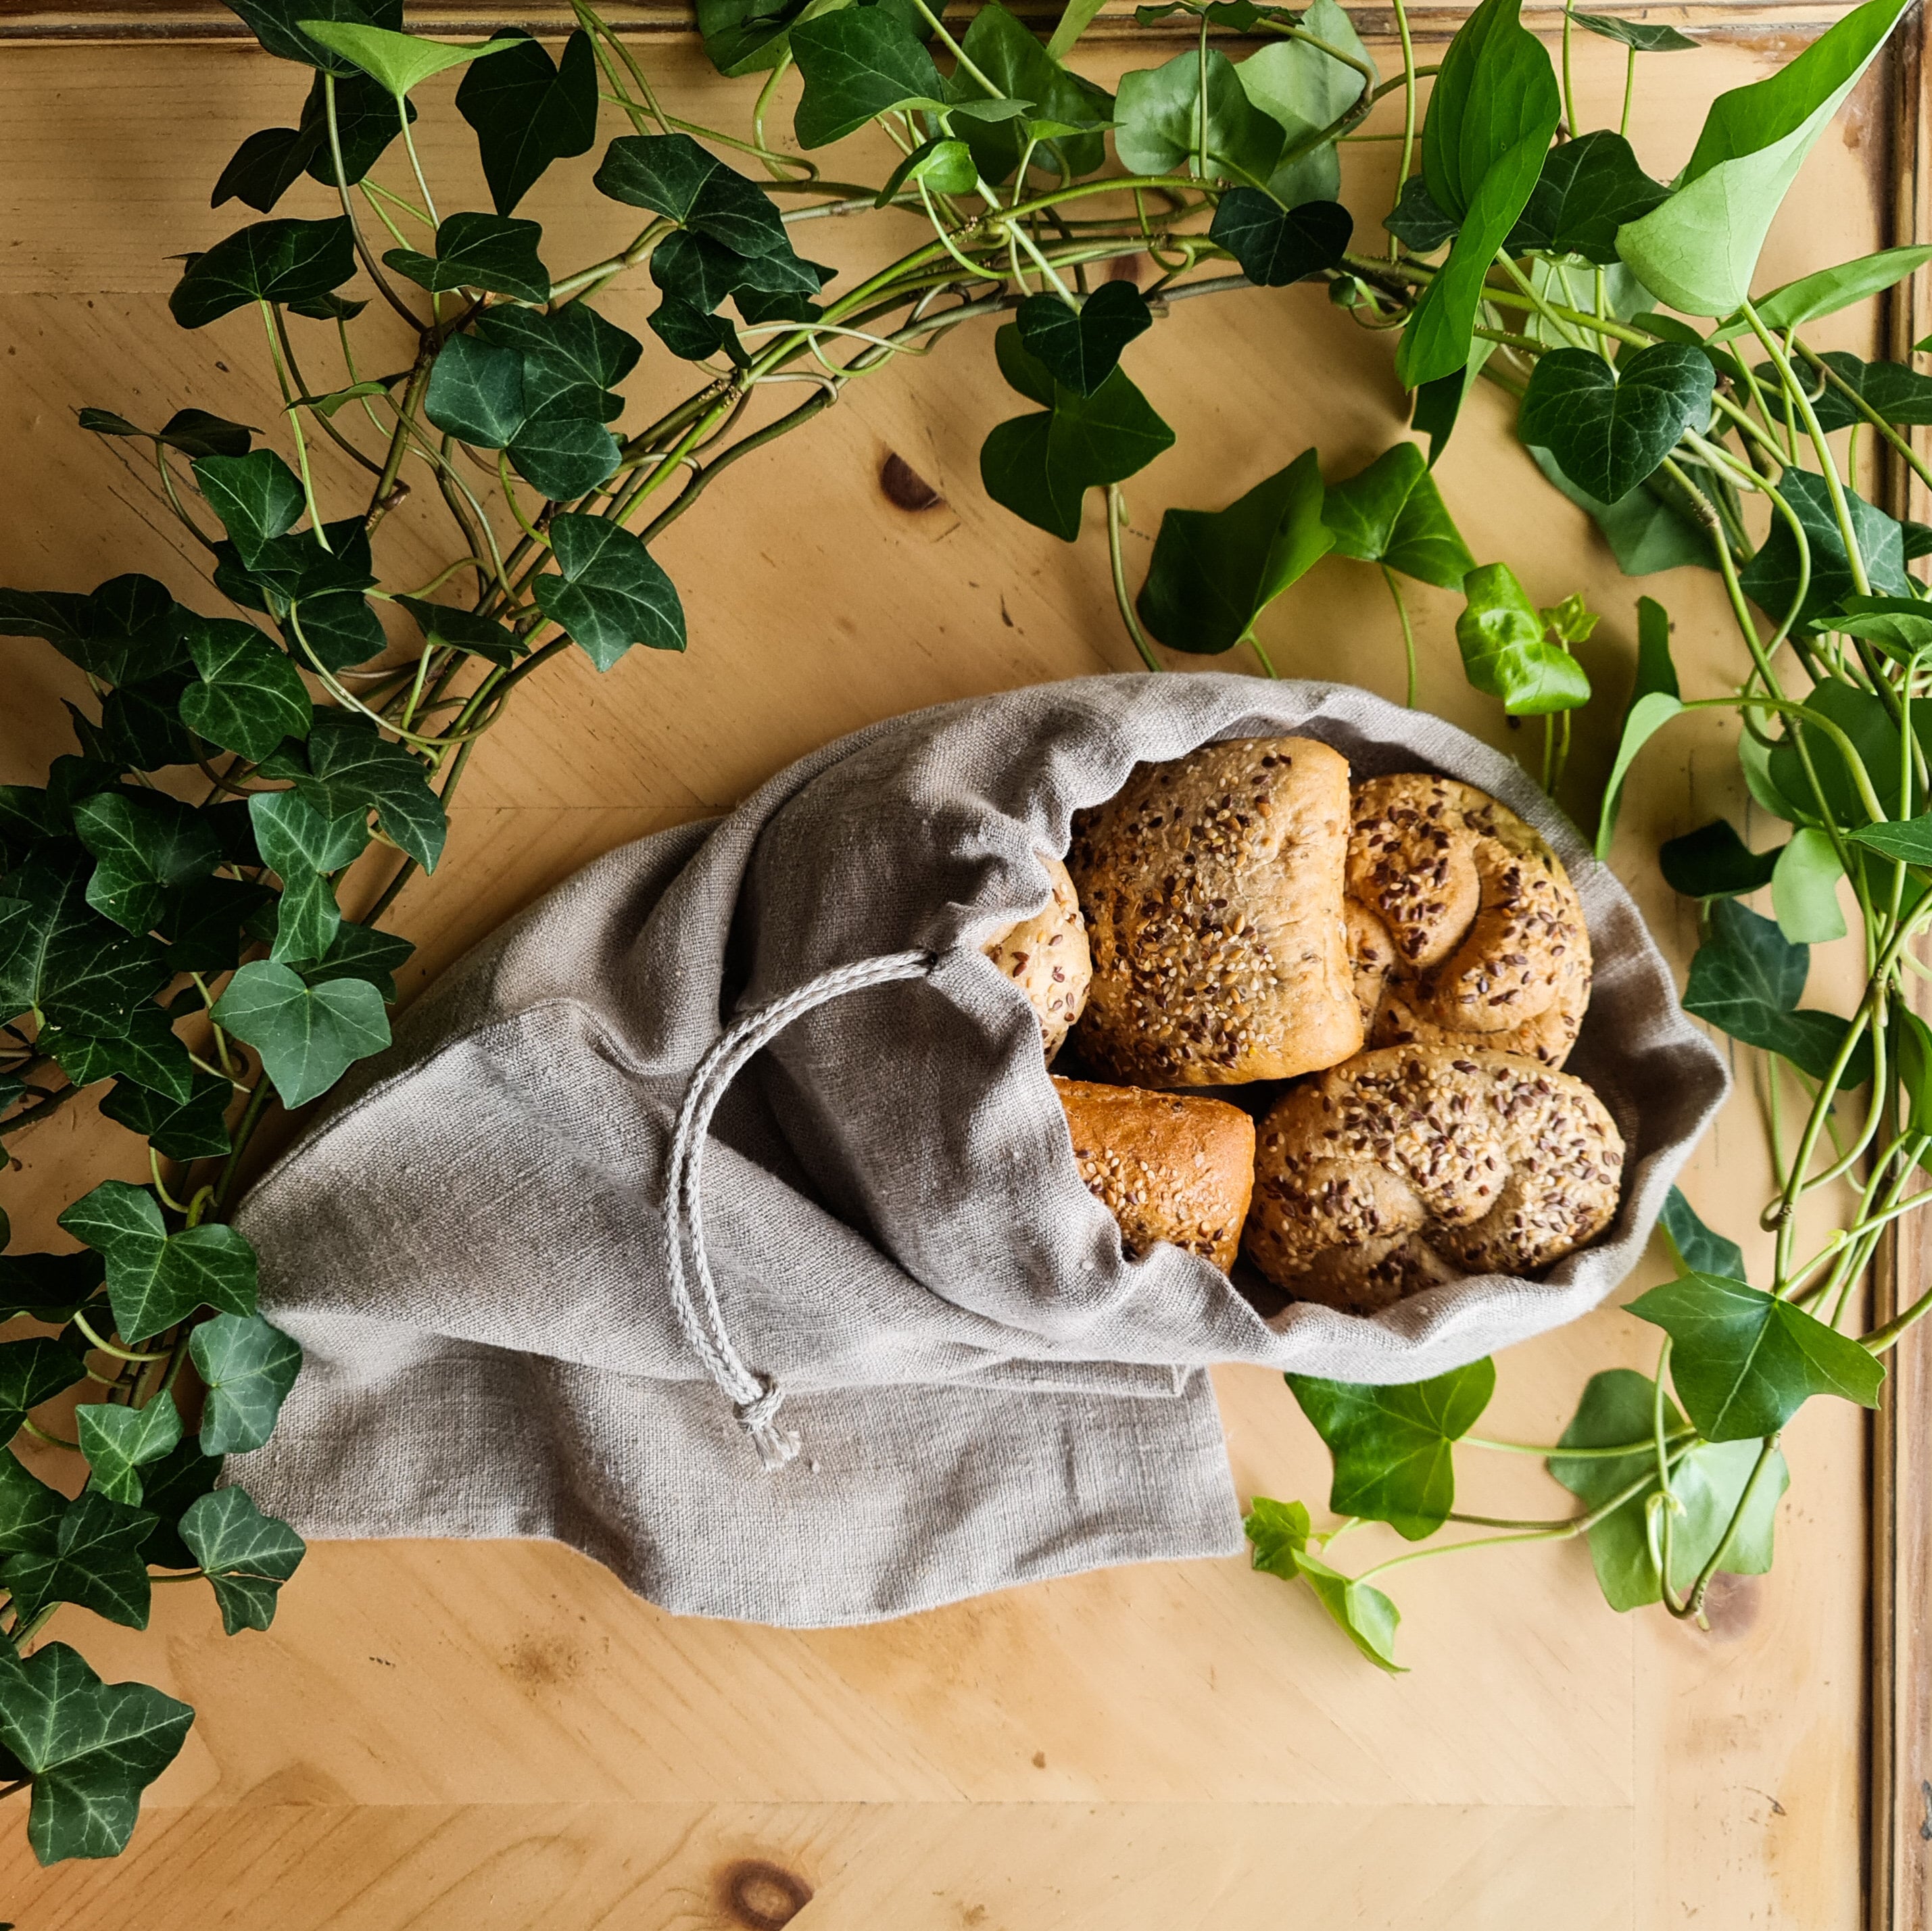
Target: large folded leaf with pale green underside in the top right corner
{"x":1699,"y":250}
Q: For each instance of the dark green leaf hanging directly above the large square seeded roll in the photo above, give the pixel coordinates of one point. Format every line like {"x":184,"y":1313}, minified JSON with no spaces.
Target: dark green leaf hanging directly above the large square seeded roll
{"x":1214,"y":573}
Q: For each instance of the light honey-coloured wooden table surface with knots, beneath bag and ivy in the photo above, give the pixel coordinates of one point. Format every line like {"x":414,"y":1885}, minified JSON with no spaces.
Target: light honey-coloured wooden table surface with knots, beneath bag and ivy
{"x":497,"y":1737}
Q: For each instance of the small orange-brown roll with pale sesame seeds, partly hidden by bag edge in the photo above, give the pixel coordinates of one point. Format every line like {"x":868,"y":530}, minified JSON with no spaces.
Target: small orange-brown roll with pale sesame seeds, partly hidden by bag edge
{"x":1164,"y":1165}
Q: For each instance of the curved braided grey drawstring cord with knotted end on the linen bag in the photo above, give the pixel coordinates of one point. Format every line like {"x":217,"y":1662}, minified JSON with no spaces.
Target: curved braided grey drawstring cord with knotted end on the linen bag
{"x":756,"y":1399}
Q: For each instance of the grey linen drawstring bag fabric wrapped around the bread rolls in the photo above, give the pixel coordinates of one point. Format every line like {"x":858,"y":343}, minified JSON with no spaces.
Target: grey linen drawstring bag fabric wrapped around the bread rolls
{"x":470,"y":1245}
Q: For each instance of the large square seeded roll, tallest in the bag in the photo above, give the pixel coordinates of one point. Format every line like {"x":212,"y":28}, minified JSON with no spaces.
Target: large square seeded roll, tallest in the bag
{"x":1212,"y":889}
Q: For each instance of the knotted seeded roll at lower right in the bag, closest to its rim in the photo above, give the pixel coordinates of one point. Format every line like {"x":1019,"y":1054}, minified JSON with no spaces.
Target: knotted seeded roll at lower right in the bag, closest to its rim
{"x":1415,"y":1165}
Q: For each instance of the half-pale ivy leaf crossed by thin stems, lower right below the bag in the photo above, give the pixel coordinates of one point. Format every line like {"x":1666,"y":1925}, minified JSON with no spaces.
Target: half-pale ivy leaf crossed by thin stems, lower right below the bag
{"x":1618,"y":1407}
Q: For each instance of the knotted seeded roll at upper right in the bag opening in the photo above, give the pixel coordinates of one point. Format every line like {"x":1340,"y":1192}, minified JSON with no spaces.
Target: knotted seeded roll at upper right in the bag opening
{"x":1463,"y":924}
